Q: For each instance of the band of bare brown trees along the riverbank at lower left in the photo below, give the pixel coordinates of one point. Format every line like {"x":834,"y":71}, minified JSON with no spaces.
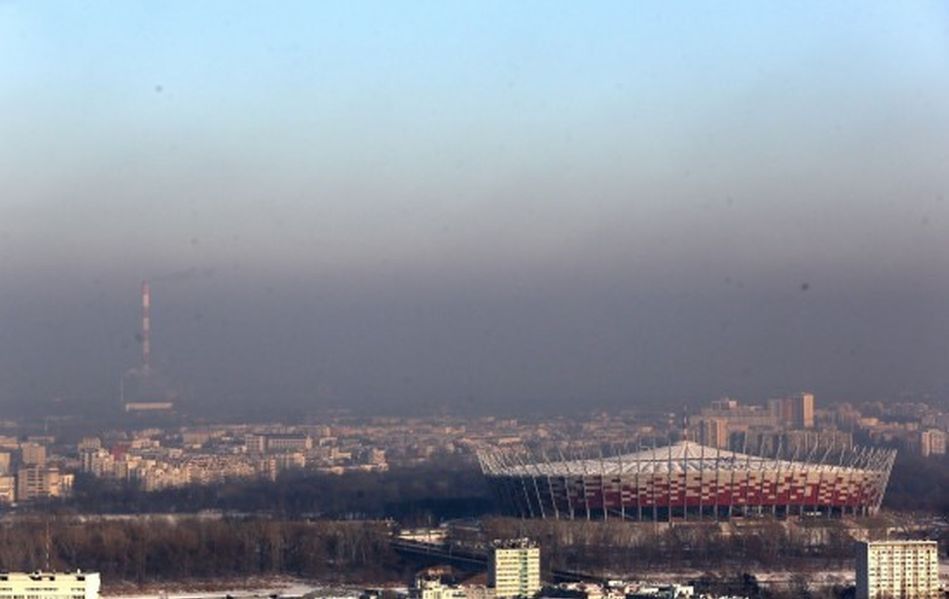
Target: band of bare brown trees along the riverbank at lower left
{"x":160,"y":548}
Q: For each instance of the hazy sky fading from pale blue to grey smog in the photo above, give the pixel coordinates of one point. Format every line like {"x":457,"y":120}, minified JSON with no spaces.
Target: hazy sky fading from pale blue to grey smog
{"x":477,"y":204}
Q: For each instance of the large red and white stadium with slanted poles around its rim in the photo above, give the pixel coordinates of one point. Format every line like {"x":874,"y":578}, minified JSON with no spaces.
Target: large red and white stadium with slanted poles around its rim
{"x":687,"y":480}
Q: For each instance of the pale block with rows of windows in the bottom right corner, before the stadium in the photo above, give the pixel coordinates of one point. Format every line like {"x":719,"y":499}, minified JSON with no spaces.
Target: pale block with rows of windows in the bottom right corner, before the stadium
{"x":897,"y":569}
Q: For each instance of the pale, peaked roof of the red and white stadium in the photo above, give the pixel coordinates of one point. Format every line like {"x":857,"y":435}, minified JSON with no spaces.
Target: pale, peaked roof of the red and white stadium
{"x":679,"y":457}
